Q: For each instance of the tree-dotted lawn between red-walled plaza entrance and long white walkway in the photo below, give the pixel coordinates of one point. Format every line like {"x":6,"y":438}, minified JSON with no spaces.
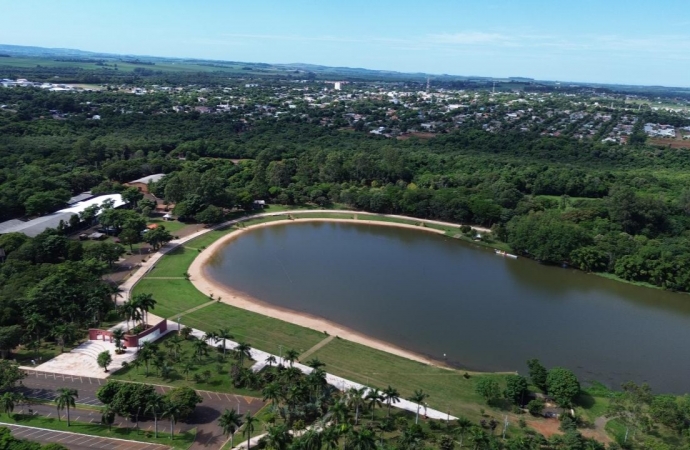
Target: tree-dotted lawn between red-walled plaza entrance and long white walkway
{"x":217,"y":370}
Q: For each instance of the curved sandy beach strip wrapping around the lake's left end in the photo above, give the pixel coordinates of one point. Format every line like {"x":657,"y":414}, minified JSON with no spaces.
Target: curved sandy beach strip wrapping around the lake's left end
{"x":207,"y":285}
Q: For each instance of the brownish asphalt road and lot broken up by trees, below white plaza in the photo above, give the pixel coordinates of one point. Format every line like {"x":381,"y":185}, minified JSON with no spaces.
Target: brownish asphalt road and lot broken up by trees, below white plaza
{"x":209,"y":435}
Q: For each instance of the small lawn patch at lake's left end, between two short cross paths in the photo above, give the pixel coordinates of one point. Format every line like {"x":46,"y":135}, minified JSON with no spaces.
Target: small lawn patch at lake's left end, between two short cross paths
{"x":173,"y":296}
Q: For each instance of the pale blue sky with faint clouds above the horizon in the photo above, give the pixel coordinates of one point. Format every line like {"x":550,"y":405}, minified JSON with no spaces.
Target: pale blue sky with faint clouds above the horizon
{"x":610,"y":41}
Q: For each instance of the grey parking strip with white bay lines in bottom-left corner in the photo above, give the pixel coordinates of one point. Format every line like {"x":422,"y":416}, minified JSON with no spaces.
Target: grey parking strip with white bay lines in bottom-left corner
{"x":76,"y":441}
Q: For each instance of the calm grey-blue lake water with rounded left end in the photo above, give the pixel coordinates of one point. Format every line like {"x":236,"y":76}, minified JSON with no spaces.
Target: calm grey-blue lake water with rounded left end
{"x":433,"y":295}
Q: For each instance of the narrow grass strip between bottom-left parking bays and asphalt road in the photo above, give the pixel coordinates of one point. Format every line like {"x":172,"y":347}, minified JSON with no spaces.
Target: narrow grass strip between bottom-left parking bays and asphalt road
{"x":180,"y":441}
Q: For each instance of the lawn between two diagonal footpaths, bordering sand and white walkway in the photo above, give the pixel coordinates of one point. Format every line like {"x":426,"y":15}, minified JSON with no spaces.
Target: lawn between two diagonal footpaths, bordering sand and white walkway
{"x":259,"y":331}
